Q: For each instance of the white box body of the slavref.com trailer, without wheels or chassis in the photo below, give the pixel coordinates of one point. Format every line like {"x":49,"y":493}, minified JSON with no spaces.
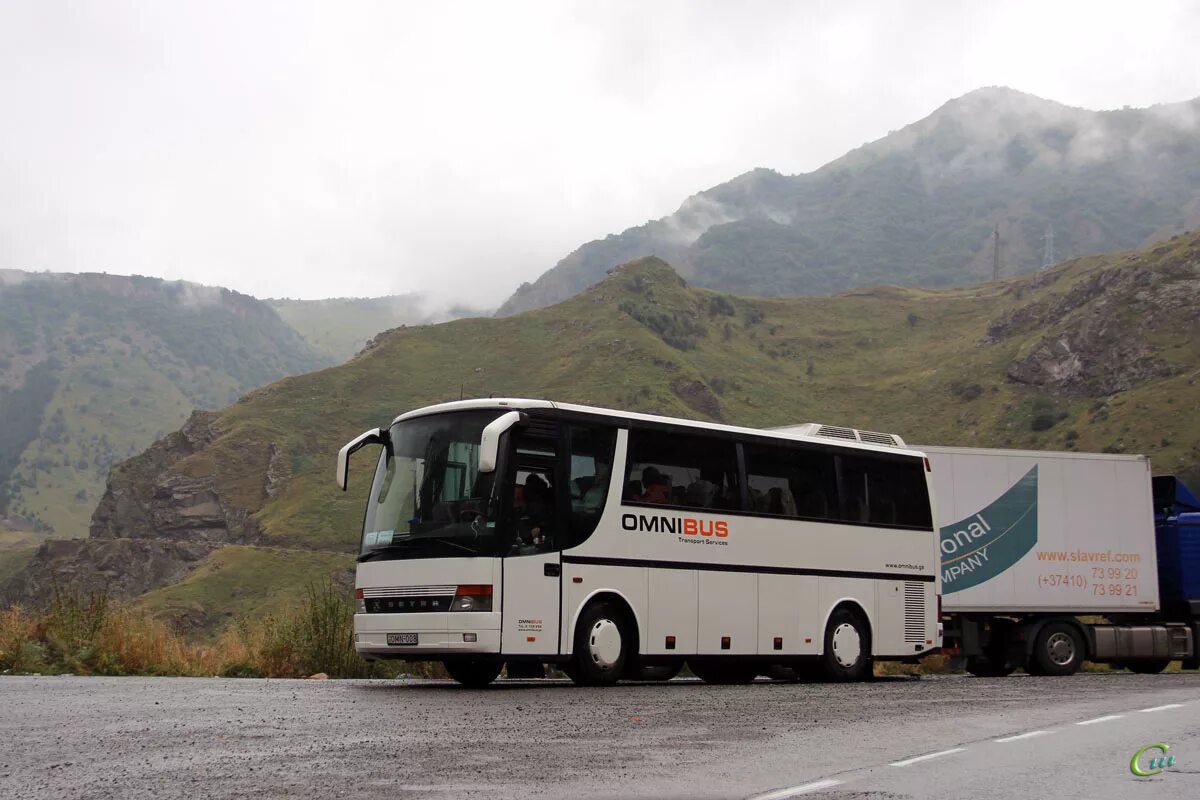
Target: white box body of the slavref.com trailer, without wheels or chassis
{"x":1045,"y":532}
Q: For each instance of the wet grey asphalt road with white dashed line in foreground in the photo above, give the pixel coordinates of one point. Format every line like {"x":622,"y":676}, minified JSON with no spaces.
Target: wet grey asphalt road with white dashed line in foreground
{"x":215,"y":738}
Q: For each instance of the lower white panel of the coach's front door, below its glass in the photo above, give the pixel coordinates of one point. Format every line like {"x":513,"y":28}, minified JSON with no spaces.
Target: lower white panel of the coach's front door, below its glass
{"x":531,"y":605}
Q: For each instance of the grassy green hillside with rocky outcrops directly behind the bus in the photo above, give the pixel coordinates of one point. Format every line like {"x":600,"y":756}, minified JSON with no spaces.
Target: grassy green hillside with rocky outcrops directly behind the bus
{"x":1101,"y":353}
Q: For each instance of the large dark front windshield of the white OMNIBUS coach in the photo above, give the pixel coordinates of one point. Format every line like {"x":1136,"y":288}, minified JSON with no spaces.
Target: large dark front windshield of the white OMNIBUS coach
{"x":429,"y":498}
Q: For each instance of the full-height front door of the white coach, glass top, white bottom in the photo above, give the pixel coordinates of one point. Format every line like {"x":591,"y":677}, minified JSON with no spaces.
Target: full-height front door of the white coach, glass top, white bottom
{"x":532,"y":587}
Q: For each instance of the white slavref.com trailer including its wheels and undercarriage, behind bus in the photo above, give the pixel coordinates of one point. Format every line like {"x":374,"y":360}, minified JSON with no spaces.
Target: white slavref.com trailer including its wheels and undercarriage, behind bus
{"x":1051,"y":558}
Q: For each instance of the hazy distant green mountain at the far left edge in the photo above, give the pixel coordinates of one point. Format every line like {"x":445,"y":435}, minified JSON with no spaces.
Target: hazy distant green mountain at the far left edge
{"x":95,"y":368}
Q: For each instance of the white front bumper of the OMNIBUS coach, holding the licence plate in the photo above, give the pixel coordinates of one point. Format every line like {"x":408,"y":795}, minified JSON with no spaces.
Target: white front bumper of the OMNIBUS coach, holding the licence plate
{"x":427,"y":636}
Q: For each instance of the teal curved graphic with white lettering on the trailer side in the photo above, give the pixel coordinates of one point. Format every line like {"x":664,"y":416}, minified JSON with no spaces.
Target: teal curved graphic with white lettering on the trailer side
{"x":988,"y":543}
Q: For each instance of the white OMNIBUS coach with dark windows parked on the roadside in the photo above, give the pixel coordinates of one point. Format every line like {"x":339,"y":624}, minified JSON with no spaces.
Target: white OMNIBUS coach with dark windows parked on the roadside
{"x":622,"y":545}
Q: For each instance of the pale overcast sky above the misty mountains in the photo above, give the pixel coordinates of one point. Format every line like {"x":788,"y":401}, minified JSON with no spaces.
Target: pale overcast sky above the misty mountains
{"x":310,"y":151}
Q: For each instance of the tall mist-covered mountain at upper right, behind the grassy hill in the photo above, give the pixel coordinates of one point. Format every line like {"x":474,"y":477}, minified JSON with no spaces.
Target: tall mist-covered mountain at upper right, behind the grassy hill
{"x":919,"y":207}
